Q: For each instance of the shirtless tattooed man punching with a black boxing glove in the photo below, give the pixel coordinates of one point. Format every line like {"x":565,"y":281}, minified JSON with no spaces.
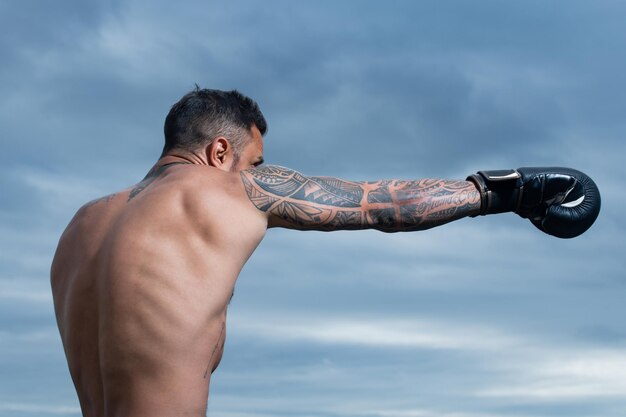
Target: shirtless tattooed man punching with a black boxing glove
{"x":142,"y":278}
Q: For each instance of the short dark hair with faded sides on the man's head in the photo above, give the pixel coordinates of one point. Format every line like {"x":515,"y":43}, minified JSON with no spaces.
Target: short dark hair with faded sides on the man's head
{"x":202,"y":115}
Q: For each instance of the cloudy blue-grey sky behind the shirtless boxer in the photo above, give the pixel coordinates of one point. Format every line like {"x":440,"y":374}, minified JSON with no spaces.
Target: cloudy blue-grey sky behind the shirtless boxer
{"x":483,"y":317}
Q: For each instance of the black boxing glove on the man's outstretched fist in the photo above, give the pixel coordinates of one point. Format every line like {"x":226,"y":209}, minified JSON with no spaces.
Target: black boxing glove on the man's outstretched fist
{"x":562,"y":202}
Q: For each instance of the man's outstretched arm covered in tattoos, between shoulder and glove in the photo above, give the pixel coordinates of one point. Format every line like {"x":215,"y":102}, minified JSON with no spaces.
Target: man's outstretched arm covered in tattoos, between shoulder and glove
{"x":295,"y":201}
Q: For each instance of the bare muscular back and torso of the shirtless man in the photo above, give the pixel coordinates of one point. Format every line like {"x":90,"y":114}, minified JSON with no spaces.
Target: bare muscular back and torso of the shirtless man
{"x":141,"y":283}
